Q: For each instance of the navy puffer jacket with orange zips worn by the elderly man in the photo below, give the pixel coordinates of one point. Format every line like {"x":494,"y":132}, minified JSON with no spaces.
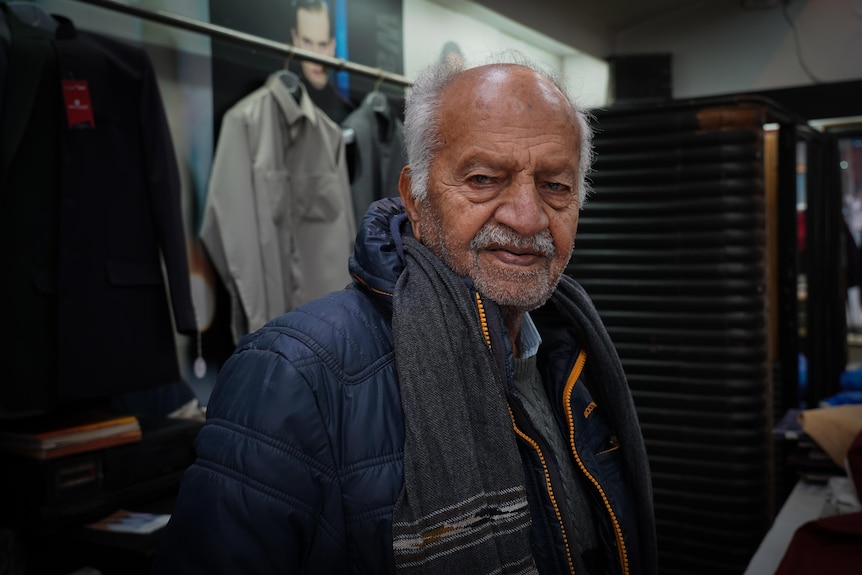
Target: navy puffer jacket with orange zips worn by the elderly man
{"x":300,"y":462}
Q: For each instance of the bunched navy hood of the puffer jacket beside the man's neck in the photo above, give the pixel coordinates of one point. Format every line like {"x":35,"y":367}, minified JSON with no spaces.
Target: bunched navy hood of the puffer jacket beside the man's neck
{"x":378,"y":255}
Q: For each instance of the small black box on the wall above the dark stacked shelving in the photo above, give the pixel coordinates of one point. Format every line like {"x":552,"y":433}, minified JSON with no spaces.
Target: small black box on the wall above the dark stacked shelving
{"x":640,"y":78}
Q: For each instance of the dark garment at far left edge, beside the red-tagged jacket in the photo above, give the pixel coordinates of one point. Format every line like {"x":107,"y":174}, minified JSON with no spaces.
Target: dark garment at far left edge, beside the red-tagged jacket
{"x":29,"y":217}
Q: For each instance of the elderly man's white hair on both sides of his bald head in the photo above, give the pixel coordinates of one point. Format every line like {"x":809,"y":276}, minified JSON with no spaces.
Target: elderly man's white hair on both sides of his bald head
{"x":421,"y":122}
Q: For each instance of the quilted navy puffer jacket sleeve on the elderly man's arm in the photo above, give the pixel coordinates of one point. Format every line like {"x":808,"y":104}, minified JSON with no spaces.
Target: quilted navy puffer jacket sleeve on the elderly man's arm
{"x":257,"y":497}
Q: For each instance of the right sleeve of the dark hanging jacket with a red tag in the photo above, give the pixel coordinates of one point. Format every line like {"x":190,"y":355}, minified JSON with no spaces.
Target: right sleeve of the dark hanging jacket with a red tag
{"x":163,"y":181}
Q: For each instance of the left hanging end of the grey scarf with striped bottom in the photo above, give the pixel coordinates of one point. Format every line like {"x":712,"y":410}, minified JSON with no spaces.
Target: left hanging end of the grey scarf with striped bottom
{"x":463,"y":507}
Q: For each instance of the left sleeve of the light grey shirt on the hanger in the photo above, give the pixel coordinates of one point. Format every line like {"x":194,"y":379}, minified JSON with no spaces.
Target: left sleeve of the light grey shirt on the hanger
{"x":230,"y":229}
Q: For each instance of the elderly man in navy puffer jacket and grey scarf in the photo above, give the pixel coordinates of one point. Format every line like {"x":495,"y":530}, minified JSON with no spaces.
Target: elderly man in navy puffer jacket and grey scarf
{"x":459,"y":408}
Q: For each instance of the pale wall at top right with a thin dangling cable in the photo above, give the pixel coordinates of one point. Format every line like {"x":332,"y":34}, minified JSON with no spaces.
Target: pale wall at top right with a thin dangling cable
{"x":721,"y":48}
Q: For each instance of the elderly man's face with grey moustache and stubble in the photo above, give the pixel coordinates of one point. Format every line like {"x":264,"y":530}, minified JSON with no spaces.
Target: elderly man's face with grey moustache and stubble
{"x":502,"y":204}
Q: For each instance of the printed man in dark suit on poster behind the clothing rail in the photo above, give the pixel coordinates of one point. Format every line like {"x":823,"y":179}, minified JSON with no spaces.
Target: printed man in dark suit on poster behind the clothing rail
{"x":313,"y":31}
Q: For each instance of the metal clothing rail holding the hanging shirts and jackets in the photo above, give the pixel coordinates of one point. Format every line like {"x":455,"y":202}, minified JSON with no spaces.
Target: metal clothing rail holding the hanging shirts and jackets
{"x":223,"y":33}
